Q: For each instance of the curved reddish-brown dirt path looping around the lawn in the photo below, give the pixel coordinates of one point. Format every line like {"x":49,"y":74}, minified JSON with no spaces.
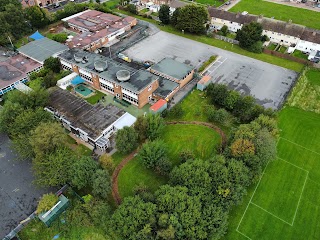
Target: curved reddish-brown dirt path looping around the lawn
{"x":115,"y":190}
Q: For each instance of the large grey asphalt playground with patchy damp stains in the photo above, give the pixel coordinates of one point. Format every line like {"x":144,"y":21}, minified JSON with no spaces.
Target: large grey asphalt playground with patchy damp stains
{"x":267,"y":83}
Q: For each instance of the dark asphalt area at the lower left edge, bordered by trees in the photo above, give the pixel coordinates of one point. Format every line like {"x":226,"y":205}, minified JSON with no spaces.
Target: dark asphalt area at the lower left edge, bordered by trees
{"x":18,"y":196}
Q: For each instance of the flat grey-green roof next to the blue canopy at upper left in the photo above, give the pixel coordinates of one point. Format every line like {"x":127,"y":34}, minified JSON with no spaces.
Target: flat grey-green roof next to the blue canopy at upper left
{"x":42,"y":49}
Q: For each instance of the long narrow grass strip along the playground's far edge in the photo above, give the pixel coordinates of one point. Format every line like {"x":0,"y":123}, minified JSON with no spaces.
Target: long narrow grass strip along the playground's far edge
{"x":225,"y":45}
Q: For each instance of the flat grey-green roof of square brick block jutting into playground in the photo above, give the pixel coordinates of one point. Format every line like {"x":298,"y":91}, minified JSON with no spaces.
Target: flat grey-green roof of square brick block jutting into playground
{"x":172,"y":68}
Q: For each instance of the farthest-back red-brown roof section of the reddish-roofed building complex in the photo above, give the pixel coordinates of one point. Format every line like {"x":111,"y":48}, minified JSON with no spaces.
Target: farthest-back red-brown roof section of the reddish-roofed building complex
{"x":93,"y":20}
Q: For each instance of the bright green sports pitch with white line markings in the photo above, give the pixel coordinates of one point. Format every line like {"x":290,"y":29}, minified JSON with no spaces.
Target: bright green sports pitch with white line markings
{"x":285,"y":202}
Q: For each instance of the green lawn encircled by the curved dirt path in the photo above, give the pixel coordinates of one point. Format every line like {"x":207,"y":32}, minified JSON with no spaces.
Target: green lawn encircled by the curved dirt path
{"x":198,"y":139}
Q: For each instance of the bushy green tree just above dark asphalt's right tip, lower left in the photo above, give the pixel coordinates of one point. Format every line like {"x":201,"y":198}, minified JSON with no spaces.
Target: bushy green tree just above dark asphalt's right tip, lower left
{"x":54,"y":169}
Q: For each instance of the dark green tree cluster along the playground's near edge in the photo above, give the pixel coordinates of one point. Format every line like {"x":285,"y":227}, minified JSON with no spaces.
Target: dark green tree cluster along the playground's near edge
{"x":242,"y":107}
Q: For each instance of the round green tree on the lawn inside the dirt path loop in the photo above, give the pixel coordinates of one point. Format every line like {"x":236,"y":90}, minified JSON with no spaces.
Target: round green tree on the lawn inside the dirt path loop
{"x":154,"y":155}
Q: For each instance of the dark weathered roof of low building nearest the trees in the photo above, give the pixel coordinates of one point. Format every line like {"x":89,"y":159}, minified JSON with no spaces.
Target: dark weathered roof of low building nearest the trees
{"x":92,"y":119}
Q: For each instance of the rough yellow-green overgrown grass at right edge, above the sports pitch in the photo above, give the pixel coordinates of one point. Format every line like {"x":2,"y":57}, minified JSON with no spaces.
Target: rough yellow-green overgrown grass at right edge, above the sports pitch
{"x":305,"y":94}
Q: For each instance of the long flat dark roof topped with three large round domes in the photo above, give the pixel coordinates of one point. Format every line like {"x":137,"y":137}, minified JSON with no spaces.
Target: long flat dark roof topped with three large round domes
{"x":139,"y":79}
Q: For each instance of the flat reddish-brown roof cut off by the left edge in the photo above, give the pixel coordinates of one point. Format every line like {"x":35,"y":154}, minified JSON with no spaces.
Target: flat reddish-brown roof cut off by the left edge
{"x":9,"y":74}
